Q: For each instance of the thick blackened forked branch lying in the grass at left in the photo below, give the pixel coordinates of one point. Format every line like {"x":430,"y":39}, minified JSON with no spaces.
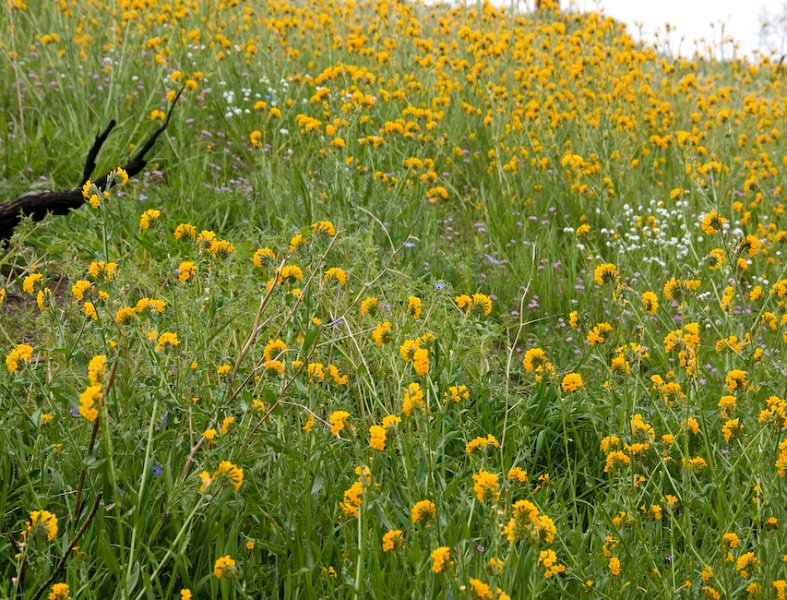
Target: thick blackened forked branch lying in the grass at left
{"x":39,"y":204}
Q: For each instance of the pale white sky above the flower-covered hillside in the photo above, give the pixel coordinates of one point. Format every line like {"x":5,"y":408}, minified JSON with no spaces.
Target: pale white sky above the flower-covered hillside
{"x":693,"y":19}
